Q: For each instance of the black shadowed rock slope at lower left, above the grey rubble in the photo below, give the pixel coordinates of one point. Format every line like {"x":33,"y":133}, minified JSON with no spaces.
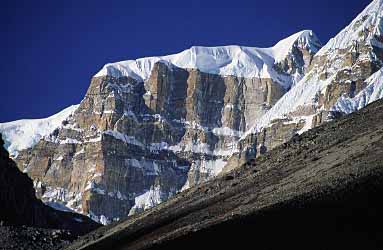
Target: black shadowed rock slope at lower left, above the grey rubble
{"x":19,"y":205}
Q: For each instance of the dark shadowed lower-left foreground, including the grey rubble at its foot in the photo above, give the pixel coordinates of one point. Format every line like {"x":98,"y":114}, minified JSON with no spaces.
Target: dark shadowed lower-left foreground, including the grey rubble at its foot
{"x":25,"y":221}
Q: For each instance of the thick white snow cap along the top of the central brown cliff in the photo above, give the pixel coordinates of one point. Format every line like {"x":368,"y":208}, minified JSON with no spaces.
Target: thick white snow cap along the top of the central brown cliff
{"x":225,"y":60}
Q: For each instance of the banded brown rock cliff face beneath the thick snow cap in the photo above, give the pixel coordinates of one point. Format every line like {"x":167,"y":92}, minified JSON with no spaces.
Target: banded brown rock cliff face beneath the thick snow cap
{"x":130,"y":146}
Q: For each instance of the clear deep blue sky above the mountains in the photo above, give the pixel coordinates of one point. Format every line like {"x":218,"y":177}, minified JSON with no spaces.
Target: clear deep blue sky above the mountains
{"x":51,"y":49}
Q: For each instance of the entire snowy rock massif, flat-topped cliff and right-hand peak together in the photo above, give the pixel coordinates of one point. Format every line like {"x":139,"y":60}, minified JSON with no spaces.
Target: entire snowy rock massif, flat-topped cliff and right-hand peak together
{"x":152,"y":127}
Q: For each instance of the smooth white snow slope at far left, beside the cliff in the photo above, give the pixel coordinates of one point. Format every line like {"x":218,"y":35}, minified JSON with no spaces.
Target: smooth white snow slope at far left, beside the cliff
{"x":24,"y":134}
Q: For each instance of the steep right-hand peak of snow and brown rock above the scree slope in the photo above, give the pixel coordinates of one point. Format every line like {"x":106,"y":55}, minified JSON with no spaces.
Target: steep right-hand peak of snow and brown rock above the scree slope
{"x":344,"y":76}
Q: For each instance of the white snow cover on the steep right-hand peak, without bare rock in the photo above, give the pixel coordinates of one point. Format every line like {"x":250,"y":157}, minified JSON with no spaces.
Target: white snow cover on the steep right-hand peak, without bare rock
{"x":366,"y":27}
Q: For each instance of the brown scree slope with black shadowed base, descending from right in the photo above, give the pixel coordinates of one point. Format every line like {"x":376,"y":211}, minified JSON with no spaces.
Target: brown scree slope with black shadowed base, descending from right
{"x":321,"y":190}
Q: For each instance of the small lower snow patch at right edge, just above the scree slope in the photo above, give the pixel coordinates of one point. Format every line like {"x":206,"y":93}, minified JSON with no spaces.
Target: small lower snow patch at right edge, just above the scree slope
{"x":373,"y":92}
